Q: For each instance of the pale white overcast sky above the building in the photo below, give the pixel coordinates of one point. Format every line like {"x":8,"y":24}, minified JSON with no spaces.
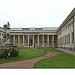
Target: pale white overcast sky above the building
{"x":35,"y":13}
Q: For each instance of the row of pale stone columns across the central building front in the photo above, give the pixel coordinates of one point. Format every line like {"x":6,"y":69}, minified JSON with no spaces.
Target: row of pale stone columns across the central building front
{"x":38,"y":43}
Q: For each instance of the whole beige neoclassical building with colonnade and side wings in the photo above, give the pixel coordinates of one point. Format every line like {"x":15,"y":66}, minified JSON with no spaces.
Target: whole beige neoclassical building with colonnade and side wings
{"x":62,"y":36}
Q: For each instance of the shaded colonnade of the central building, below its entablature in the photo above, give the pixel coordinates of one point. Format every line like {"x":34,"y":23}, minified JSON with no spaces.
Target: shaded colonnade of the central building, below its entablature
{"x":34,"y":40}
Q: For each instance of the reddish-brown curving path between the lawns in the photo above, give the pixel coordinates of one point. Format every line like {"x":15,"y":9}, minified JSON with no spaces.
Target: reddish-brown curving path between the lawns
{"x":28,"y":63}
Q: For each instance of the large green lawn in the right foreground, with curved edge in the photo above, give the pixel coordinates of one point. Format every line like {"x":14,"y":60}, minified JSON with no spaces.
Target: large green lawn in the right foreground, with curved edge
{"x":58,"y":61}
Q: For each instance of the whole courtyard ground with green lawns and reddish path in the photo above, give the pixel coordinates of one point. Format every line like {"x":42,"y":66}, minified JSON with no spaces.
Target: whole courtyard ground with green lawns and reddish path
{"x":38,"y":58}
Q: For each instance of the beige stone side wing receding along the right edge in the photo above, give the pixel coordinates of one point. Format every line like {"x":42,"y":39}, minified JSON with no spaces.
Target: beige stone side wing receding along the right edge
{"x":66,"y":32}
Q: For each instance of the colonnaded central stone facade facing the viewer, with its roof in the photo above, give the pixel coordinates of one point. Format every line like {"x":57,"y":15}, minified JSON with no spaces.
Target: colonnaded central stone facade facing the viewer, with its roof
{"x":25,"y":37}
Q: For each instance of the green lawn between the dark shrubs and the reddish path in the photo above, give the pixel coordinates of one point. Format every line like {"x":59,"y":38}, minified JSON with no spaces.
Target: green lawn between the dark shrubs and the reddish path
{"x":24,"y":53}
